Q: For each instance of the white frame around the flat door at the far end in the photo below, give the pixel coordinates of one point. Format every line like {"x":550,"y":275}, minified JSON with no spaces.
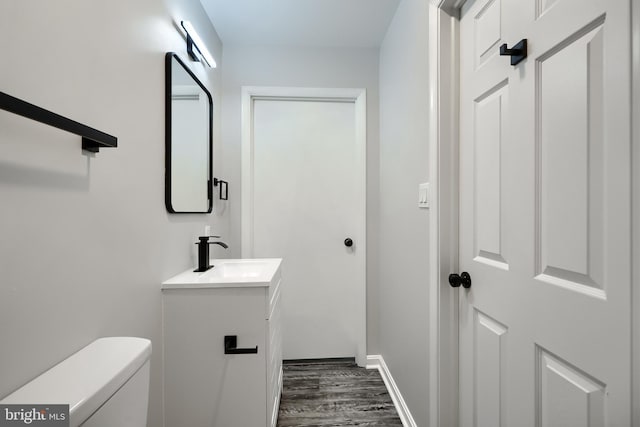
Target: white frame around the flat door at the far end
{"x":356,"y":96}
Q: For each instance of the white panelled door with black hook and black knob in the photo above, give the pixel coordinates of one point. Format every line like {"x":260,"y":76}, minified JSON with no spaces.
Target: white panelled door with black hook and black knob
{"x":545,"y":214}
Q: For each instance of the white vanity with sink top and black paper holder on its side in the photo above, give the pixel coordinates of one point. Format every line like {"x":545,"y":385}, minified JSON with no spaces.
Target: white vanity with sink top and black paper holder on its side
{"x":203,"y":386}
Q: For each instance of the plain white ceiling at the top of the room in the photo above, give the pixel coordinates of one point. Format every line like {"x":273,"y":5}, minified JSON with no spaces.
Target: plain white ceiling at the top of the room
{"x":311,"y":23}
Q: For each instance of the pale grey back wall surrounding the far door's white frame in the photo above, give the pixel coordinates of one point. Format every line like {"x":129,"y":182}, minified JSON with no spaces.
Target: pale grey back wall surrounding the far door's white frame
{"x":304,"y":67}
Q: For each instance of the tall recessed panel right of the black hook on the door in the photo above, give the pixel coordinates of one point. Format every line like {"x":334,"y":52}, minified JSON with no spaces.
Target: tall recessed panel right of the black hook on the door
{"x":571,"y":162}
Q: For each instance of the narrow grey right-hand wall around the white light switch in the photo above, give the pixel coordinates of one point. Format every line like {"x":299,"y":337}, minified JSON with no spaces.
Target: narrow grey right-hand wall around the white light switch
{"x":404,"y":237}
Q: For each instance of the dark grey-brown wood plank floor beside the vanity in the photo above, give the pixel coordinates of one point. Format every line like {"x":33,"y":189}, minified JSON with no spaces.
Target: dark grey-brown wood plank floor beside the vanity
{"x":334,"y":392}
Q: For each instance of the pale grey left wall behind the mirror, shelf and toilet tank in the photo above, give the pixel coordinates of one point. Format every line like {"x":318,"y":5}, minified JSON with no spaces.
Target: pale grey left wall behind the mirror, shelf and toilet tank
{"x":86,"y":241}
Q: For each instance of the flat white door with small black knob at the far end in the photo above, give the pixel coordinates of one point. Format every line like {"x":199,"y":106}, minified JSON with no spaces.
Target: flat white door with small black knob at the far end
{"x":305,"y":196}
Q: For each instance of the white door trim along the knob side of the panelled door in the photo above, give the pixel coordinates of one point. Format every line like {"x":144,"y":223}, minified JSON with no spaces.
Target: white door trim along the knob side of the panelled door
{"x":444,"y":83}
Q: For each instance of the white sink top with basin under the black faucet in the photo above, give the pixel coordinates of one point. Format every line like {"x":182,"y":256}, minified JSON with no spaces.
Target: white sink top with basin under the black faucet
{"x":228,"y":273}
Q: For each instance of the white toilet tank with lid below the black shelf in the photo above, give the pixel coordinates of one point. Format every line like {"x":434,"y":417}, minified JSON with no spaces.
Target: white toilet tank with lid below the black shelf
{"x":106,"y":384}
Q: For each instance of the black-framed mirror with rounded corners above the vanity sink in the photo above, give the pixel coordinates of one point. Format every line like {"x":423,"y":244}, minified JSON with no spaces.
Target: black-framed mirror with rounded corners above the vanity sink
{"x":188,"y":140}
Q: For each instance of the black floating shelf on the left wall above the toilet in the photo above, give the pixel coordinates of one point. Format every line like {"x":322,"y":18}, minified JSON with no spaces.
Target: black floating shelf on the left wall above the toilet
{"x":92,"y":139}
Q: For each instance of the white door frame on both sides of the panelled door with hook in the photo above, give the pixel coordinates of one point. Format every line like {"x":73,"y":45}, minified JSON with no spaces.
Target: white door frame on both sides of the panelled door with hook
{"x":444,"y":87}
